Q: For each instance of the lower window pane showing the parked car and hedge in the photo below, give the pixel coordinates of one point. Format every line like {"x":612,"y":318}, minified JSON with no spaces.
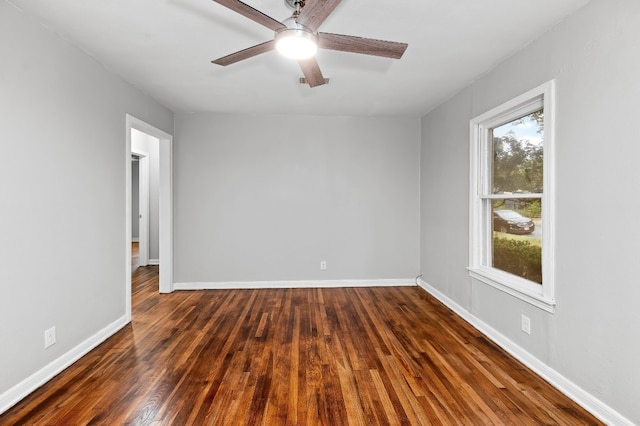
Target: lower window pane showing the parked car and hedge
{"x":517,"y":237}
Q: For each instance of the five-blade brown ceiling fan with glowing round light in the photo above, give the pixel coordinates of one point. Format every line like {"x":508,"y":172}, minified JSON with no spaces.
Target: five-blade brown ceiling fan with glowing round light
{"x":298,"y":37}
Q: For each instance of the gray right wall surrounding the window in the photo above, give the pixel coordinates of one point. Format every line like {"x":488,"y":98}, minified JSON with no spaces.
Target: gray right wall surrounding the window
{"x":592,"y":338}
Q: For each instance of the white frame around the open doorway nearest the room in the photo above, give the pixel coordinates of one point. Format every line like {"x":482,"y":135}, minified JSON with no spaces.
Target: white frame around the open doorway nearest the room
{"x":166,"y":207}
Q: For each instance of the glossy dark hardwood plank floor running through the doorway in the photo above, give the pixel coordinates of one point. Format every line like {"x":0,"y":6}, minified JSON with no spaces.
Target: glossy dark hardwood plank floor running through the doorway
{"x":357,"y":356}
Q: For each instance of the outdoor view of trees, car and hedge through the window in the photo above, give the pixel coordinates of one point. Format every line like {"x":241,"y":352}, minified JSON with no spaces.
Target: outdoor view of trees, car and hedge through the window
{"x":517,"y":186}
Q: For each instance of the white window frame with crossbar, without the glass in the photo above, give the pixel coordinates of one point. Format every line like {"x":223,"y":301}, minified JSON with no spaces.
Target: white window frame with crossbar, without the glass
{"x":480,"y":228}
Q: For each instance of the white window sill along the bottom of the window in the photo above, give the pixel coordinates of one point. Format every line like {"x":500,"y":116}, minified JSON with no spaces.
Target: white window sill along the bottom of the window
{"x":513,"y":286}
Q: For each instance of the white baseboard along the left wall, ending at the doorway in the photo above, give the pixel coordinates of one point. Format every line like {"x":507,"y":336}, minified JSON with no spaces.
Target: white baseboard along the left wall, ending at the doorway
{"x":12,"y":396}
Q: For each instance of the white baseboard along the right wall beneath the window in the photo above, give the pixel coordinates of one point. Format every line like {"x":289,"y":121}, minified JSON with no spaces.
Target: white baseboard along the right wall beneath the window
{"x":590,"y":403}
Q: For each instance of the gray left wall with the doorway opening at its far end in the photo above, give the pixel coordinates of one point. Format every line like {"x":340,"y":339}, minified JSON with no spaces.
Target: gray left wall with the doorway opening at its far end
{"x":62,"y":225}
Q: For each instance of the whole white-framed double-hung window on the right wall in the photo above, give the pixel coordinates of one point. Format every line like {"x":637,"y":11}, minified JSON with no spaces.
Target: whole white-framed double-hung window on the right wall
{"x":511,"y":225}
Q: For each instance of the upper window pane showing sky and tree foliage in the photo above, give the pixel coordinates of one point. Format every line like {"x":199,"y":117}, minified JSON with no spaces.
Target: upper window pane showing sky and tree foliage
{"x":518,"y":155}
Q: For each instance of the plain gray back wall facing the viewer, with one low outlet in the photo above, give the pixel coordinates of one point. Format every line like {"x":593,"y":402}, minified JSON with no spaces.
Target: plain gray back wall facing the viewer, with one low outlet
{"x":263,"y":198}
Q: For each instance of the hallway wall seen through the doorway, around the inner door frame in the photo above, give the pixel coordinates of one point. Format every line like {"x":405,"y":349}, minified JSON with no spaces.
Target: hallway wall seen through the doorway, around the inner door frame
{"x":151,"y":145}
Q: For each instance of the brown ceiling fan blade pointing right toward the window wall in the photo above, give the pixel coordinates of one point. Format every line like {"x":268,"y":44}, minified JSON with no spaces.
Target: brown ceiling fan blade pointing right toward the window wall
{"x":364,"y":46}
